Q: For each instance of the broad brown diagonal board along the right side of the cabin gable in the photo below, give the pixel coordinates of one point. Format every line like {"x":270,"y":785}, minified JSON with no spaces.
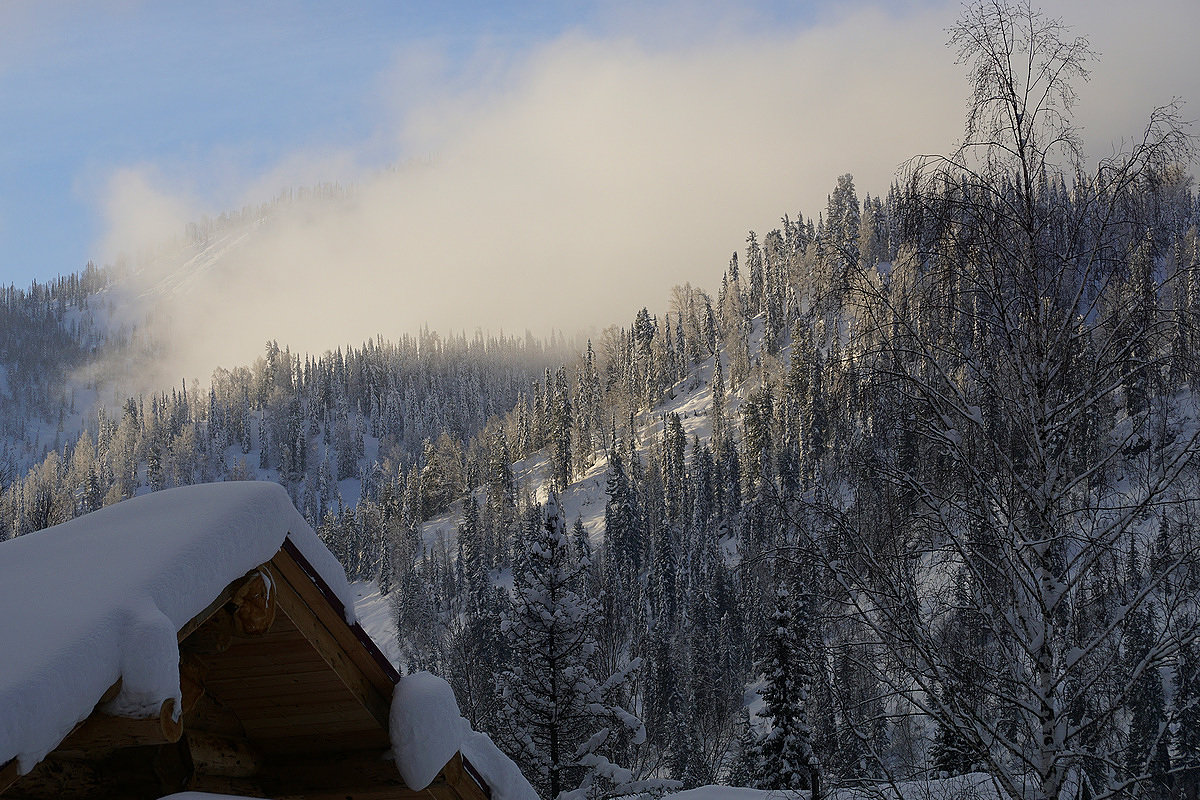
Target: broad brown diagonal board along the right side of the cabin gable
{"x":331,"y":639}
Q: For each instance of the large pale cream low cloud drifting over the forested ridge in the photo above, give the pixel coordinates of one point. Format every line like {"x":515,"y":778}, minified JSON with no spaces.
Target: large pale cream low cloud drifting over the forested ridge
{"x":571,"y":189}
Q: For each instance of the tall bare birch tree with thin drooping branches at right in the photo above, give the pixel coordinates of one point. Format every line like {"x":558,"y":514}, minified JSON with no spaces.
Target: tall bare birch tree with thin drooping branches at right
{"x":1023,"y":340}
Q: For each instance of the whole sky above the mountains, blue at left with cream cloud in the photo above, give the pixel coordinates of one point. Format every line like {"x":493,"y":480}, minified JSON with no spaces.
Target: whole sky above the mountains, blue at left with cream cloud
{"x":518,"y":166}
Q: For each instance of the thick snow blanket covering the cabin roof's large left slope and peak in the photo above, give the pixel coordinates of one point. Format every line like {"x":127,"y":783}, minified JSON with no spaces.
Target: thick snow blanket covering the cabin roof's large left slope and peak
{"x":103,"y":598}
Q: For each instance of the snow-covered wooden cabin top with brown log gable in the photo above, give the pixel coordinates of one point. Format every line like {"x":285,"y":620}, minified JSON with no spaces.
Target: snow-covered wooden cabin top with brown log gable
{"x":202,"y":639}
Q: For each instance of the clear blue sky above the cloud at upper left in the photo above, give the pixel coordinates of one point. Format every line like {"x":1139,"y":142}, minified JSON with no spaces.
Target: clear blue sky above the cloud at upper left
{"x":92,"y":88}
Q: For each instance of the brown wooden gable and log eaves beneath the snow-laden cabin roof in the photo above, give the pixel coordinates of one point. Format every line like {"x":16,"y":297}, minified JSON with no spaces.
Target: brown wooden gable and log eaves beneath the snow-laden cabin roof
{"x":283,"y":699}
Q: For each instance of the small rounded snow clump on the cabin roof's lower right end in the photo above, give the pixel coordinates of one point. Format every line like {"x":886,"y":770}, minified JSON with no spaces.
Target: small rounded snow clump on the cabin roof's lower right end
{"x":428,"y":730}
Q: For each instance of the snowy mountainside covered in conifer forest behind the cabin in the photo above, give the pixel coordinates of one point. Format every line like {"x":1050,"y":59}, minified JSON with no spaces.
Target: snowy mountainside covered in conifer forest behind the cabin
{"x":913,"y":494}
